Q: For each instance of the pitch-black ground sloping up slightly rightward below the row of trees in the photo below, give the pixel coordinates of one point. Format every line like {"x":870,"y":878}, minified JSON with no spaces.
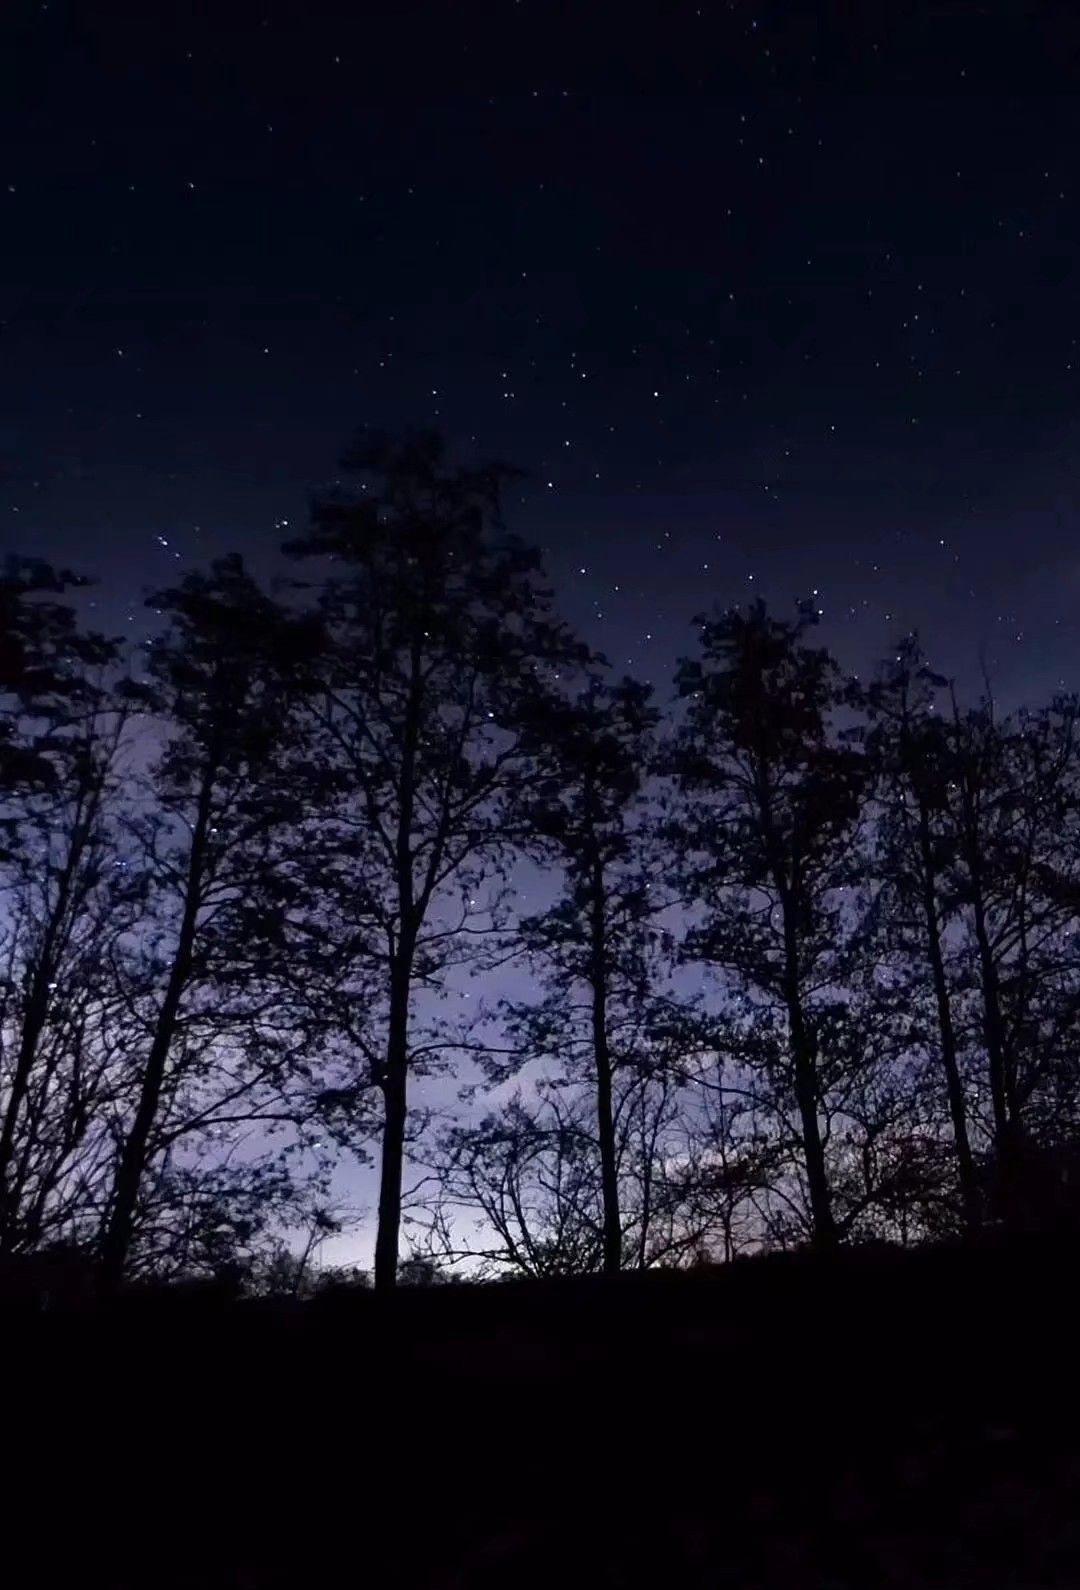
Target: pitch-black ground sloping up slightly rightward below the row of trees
{"x":872,"y":1422}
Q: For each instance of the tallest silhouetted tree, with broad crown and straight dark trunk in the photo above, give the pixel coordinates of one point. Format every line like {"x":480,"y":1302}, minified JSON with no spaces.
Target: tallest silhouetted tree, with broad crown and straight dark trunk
{"x":441,"y":637}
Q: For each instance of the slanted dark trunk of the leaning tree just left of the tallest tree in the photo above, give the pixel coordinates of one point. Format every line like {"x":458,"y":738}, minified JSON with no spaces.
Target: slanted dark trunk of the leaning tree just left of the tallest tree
{"x":133,"y":1160}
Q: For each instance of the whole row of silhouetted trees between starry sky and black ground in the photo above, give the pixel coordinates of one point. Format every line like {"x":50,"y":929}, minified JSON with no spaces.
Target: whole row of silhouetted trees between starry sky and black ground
{"x":801,"y":955}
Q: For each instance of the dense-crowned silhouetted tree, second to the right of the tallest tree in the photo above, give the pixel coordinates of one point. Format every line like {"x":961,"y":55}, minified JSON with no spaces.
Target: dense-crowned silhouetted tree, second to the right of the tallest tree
{"x":771,"y":802}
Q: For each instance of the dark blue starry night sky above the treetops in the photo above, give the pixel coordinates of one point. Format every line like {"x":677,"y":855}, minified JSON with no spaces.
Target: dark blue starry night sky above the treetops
{"x":766,"y":300}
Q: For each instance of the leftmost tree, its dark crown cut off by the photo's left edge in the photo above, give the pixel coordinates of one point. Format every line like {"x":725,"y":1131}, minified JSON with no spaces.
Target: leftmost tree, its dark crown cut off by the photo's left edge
{"x":61,"y":737}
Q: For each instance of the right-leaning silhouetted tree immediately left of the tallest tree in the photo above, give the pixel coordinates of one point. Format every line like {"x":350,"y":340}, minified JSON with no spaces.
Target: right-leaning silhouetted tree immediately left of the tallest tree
{"x":227,"y":680}
